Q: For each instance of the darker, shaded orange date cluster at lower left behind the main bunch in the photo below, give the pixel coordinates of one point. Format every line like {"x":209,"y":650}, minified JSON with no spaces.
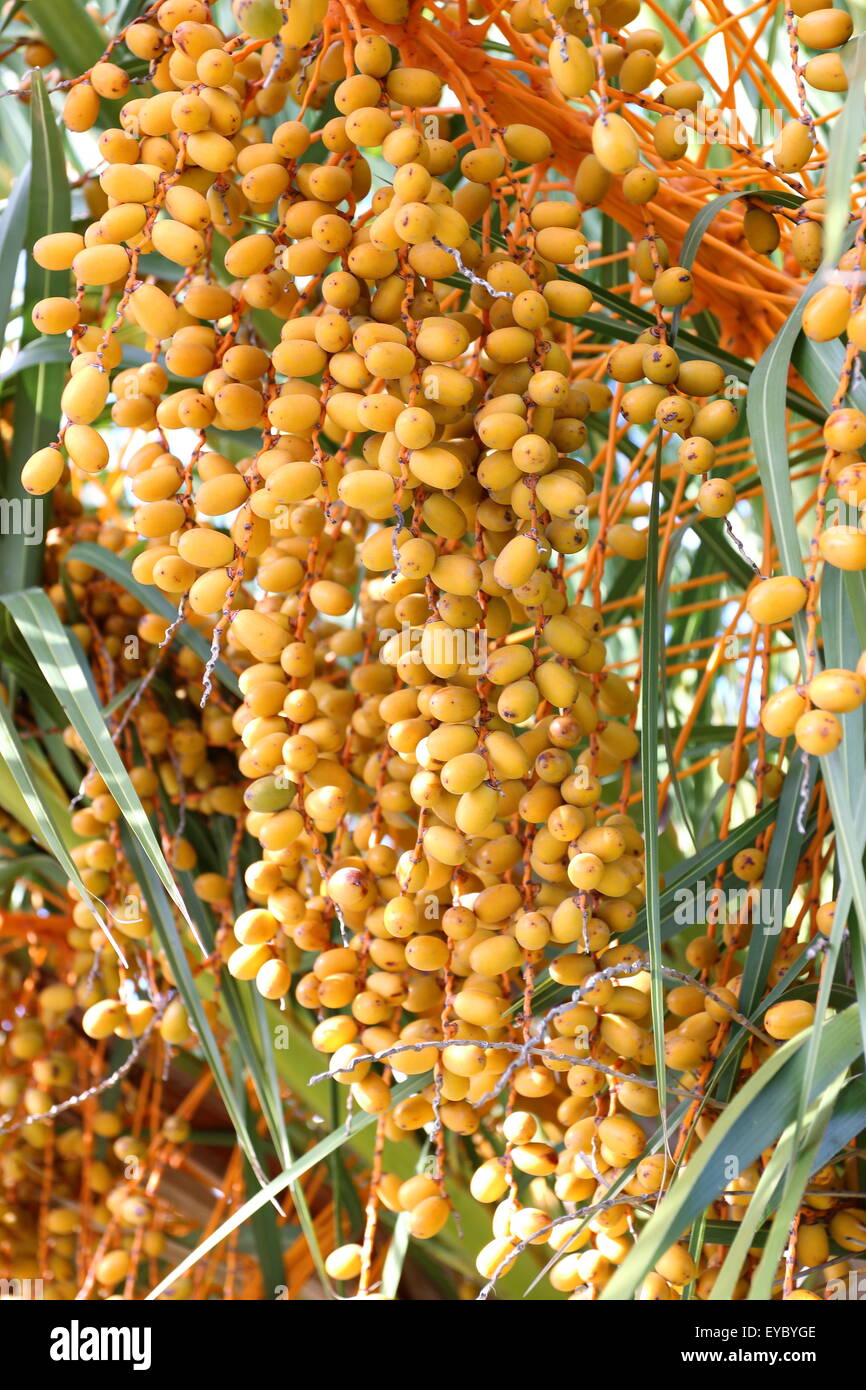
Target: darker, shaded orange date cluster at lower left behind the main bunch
{"x":111,"y":1213}
